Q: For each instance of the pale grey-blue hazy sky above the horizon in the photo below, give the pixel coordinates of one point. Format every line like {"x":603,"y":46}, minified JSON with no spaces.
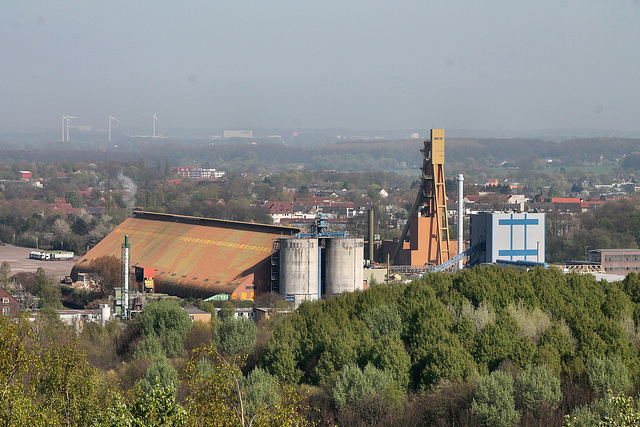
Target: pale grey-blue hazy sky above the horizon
{"x":506,"y":65}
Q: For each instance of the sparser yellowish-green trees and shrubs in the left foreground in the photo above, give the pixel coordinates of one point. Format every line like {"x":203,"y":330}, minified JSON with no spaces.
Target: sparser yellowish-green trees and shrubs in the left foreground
{"x":160,"y":370}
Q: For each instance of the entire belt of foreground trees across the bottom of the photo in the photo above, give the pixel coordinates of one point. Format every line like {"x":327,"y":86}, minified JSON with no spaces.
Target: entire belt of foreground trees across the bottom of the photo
{"x":487,"y":346}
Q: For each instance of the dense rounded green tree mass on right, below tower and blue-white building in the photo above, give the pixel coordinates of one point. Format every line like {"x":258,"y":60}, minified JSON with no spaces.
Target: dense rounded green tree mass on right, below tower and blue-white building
{"x":439,"y":351}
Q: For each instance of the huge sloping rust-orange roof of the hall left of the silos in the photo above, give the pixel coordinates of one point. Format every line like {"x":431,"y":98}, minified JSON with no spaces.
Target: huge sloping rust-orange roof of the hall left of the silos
{"x":191,"y":256}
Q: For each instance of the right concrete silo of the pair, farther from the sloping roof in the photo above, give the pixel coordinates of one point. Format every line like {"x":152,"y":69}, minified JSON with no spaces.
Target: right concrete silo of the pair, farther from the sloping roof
{"x":343,"y":265}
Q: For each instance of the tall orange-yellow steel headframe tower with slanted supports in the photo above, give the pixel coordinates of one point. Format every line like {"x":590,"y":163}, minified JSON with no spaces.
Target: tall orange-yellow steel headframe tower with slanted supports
{"x":428,"y":224}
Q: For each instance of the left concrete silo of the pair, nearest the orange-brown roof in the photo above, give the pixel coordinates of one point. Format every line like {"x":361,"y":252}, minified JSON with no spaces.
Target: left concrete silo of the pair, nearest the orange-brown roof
{"x":299,"y":269}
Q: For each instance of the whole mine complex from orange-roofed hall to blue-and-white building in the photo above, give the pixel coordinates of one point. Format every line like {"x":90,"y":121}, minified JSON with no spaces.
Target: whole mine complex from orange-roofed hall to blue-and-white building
{"x":200,"y":257}
